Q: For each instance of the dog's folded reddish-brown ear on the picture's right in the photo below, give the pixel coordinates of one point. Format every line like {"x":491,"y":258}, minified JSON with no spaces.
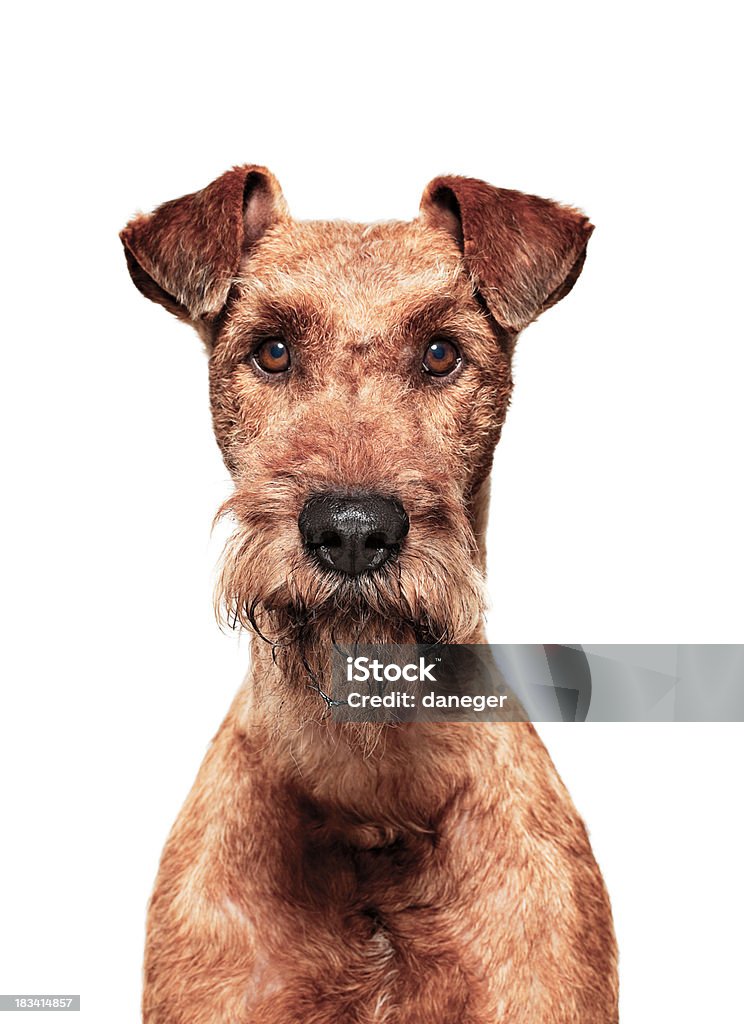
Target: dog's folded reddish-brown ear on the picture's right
{"x":524,"y":253}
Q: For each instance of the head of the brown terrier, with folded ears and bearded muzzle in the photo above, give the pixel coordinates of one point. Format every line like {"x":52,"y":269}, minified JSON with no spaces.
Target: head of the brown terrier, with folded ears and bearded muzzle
{"x":360,"y":379}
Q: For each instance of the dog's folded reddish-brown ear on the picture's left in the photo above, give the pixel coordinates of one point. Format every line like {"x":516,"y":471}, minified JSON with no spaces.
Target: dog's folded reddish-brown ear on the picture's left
{"x":187,"y":254}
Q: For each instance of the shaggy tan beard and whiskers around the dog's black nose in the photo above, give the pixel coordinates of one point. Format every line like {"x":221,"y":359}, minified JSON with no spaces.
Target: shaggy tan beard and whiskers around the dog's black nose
{"x":432,"y":592}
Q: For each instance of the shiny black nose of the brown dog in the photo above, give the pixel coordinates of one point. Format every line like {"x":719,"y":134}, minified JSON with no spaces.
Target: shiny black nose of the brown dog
{"x":354,"y":535}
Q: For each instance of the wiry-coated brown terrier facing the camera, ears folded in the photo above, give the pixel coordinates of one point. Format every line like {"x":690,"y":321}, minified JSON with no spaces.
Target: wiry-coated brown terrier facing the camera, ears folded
{"x":323,"y":872}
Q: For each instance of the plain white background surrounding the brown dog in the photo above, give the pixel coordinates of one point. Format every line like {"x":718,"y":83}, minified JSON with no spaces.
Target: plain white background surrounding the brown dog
{"x":618,"y":498}
